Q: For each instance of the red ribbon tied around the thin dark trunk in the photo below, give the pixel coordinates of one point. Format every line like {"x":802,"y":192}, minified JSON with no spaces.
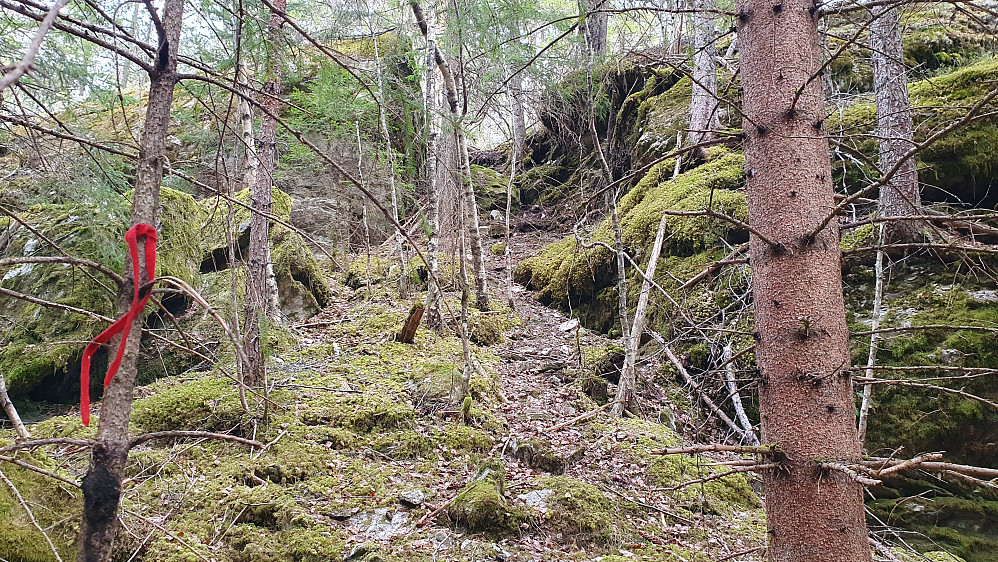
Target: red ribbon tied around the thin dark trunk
{"x":122,"y":325}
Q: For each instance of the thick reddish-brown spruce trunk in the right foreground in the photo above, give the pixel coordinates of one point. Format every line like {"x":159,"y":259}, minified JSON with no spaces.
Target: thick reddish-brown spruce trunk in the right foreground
{"x":805,"y":396}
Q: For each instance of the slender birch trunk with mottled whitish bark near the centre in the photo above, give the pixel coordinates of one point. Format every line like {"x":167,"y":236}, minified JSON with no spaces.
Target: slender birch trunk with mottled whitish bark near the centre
{"x":433,"y":192}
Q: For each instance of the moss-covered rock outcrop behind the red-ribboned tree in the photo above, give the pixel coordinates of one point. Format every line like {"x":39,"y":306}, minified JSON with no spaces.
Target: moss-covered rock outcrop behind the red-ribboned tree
{"x":40,"y":354}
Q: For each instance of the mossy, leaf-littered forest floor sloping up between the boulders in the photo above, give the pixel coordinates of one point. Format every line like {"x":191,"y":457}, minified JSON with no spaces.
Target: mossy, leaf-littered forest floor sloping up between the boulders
{"x":370,"y":457}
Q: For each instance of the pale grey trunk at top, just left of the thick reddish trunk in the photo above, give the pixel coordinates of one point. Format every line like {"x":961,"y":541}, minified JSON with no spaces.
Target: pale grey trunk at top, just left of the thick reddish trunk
{"x":704,"y":118}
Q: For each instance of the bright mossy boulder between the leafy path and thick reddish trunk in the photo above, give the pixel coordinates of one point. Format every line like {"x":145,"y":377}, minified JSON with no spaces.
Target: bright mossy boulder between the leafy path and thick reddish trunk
{"x":568,"y":276}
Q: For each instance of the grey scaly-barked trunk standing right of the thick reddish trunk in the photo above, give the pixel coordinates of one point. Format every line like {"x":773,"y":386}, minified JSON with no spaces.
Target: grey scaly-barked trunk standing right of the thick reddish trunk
{"x":899,"y":197}
